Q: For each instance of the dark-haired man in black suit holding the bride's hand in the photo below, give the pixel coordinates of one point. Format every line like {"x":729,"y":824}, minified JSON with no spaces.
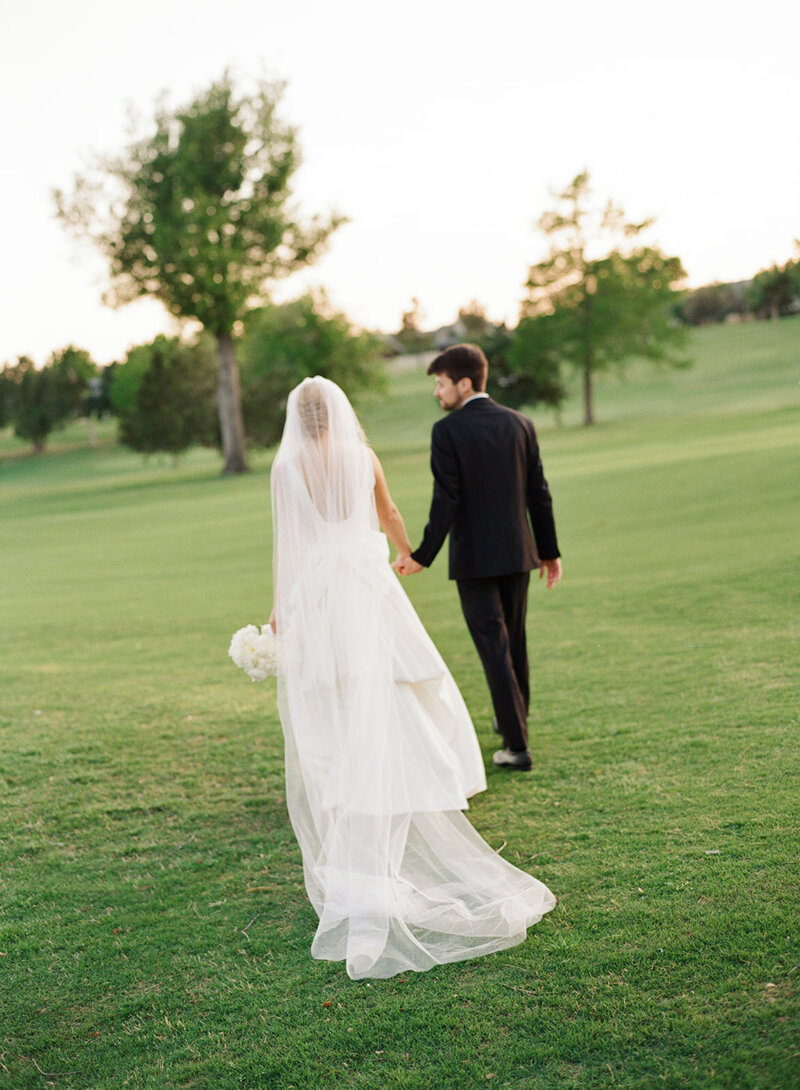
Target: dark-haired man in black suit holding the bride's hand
{"x":488,"y":480}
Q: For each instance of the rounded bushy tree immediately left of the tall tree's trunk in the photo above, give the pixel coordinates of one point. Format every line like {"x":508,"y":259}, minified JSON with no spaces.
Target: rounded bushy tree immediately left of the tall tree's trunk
{"x":164,"y":396}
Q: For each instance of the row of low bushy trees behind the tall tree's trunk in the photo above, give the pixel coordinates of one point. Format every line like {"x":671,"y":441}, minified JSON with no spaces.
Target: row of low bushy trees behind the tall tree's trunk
{"x":165,"y":393}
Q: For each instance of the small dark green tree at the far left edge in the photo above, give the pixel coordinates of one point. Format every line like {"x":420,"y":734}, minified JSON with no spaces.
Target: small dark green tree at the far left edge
{"x":40,"y":401}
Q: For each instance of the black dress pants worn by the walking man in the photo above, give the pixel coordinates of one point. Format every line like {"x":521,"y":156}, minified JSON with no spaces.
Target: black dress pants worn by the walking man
{"x":495,"y":613}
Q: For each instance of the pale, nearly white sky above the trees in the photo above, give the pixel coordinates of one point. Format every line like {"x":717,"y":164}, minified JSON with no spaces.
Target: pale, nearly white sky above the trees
{"x":441,"y":128}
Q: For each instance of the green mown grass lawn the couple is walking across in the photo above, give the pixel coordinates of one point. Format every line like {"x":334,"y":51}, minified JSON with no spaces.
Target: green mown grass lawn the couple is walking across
{"x":155,"y":930}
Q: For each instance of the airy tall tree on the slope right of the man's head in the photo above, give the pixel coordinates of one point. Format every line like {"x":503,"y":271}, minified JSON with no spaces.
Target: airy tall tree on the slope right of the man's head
{"x":596,"y":313}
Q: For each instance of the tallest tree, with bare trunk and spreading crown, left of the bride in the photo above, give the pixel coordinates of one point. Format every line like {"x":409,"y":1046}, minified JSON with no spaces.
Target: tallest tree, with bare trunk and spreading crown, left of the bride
{"x":198,"y":215}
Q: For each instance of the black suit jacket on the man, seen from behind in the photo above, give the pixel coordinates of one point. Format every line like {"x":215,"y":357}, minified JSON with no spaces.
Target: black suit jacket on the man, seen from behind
{"x":488,"y":481}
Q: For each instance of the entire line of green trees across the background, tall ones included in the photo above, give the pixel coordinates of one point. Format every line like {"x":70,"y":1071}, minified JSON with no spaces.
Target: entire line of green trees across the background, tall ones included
{"x":199,"y":214}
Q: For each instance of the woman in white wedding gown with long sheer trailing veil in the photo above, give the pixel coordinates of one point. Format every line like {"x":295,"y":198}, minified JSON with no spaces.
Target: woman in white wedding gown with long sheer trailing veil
{"x":381,"y":753}
